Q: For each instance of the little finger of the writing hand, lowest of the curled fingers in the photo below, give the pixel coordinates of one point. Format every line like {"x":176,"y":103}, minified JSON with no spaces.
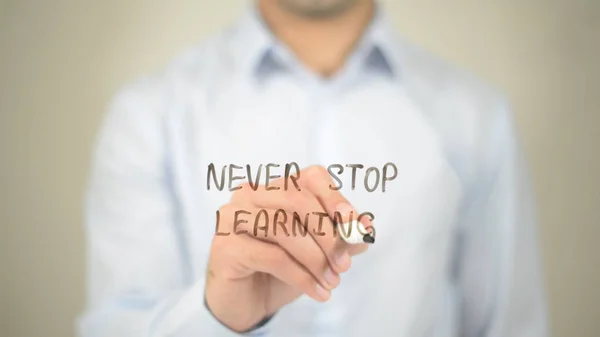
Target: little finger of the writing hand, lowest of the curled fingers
{"x":272,"y":259}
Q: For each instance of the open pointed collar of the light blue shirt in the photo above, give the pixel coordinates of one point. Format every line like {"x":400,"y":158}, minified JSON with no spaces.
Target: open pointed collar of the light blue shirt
{"x":254,"y":46}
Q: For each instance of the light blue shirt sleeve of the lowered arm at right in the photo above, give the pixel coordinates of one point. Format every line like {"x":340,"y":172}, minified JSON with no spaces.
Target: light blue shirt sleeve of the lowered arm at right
{"x":499,"y":269}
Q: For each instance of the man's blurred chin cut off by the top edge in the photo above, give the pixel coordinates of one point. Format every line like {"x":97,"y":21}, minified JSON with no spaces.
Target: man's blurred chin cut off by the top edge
{"x":317,"y":8}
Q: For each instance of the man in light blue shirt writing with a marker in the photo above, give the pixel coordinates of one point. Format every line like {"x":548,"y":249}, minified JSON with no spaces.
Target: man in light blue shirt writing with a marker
{"x":314,"y":83}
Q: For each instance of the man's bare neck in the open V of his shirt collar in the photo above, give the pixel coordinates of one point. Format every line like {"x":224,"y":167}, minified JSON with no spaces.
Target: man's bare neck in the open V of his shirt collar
{"x":323,"y":44}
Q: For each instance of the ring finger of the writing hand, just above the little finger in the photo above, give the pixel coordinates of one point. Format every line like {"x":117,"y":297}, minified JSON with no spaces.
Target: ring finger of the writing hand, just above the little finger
{"x":303,"y":248}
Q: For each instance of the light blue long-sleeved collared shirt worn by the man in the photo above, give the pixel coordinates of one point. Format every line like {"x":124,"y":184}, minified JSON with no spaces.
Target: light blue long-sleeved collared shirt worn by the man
{"x":456,"y":251}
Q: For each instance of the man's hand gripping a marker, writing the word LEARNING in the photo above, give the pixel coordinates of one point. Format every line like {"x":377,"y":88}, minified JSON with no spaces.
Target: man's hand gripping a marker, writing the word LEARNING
{"x":250,"y":277}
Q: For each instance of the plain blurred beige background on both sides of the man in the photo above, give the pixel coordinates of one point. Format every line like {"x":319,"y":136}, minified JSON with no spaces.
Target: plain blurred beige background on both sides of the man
{"x":61,"y":61}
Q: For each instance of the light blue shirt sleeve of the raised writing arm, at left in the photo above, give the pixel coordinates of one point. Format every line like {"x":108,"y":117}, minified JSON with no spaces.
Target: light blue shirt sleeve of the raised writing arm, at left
{"x":138,"y":283}
